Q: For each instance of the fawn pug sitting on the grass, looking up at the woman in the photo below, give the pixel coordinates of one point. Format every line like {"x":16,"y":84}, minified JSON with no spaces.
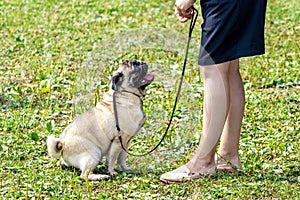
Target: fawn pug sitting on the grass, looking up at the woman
{"x":93,"y":134}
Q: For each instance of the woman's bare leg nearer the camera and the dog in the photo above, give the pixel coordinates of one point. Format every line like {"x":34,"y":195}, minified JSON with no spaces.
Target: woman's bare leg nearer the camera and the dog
{"x":216,"y":106}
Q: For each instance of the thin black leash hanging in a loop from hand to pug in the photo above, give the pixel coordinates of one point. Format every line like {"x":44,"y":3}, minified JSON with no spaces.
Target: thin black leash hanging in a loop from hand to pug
{"x":192,"y":24}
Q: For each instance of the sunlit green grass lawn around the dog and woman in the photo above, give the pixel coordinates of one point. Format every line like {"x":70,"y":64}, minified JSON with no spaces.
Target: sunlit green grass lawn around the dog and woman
{"x":50,"y":52}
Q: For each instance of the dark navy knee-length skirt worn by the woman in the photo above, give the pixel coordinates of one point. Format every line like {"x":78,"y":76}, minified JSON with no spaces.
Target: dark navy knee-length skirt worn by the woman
{"x":231,"y":29}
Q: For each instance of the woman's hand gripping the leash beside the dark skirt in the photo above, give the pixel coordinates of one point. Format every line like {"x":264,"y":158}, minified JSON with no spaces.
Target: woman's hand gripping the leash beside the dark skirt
{"x":184,"y":10}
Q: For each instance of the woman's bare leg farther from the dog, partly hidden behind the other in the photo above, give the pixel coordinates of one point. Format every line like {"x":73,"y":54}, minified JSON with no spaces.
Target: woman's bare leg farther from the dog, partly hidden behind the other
{"x":229,"y":144}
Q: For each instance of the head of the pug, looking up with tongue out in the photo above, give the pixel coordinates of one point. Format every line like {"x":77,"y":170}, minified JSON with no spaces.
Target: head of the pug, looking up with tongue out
{"x":131,"y":76}
